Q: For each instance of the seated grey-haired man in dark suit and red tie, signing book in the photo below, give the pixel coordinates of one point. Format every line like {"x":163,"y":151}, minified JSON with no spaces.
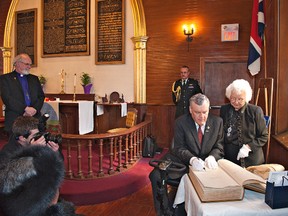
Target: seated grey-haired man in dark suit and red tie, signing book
{"x":198,"y":142}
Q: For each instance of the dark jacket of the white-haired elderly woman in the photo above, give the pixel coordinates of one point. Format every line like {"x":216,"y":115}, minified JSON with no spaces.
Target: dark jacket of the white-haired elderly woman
{"x":253,"y":130}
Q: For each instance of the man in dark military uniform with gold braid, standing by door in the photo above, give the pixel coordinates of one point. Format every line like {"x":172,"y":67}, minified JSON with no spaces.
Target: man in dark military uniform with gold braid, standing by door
{"x":182,"y":90}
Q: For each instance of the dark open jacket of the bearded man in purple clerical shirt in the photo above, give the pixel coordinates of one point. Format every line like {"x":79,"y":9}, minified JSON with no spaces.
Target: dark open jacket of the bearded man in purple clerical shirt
{"x":13,"y":97}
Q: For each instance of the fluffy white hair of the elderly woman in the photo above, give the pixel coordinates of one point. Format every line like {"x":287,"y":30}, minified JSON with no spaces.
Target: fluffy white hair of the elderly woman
{"x":239,"y":85}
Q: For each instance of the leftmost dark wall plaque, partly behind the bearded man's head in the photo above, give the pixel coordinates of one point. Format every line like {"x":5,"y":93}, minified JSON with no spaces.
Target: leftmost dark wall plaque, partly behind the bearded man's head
{"x":26,"y":34}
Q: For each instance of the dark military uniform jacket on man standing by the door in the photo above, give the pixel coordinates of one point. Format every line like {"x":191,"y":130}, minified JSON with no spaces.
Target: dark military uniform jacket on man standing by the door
{"x":187,"y":91}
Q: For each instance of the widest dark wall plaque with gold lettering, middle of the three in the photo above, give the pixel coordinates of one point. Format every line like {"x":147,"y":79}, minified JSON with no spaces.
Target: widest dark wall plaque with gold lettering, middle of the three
{"x":65,"y":28}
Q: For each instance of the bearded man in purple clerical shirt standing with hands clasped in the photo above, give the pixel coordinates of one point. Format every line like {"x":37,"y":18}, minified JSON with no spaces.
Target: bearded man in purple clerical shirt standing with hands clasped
{"x":21,"y":92}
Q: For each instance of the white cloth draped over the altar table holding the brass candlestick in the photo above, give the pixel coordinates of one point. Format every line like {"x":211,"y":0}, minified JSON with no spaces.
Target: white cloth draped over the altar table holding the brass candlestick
{"x":85,"y":111}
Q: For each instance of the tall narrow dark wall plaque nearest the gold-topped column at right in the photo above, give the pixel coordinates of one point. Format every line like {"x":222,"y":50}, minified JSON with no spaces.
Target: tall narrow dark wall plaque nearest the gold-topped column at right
{"x":110,"y":32}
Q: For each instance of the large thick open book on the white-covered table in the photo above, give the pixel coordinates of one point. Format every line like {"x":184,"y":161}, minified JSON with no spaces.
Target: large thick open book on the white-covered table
{"x":225,"y":183}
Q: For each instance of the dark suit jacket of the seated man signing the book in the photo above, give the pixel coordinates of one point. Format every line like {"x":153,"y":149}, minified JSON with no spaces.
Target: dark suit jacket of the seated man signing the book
{"x":186,"y":144}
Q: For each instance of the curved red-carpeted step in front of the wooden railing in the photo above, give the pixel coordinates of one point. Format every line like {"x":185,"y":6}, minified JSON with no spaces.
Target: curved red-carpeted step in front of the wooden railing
{"x":108,"y":188}
